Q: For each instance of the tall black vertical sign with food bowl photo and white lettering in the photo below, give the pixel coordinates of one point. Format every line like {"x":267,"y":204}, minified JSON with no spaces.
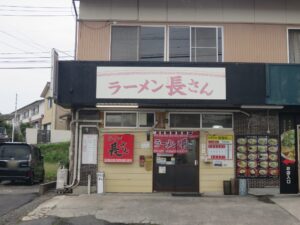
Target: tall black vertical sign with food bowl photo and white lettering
{"x":288,"y":163}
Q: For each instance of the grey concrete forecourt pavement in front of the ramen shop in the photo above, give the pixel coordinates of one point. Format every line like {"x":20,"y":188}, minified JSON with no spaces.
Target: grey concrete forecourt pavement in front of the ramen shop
{"x":165,"y":209}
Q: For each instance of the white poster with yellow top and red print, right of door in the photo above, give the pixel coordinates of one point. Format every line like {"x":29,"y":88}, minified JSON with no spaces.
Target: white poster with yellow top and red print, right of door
{"x":220,"y":147}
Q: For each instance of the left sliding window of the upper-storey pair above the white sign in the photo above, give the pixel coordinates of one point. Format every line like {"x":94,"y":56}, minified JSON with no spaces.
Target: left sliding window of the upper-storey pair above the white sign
{"x":132,"y":43}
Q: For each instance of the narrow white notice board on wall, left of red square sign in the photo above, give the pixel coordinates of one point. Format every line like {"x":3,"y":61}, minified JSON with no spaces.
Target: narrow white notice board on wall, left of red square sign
{"x":89,"y":148}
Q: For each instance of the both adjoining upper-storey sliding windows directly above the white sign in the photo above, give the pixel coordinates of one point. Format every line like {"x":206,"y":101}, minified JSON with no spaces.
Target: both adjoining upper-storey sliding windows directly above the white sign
{"x":185,"y":43}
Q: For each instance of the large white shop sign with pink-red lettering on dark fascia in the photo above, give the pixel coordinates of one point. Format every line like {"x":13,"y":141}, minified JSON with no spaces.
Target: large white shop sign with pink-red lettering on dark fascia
{"x":161,"y":83}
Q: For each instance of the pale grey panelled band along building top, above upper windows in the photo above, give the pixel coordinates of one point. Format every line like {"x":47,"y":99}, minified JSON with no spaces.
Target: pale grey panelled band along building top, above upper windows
{"x":231,"y":11}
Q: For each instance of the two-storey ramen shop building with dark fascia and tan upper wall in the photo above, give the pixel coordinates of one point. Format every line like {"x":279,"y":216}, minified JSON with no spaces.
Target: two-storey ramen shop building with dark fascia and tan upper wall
{"x":180,"y":96}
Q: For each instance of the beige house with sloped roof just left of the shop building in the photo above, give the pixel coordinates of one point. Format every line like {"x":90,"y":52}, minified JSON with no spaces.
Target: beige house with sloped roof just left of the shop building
{"x":55,"y":116}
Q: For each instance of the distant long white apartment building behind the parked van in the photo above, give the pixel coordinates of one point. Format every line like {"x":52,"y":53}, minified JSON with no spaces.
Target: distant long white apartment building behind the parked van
{"x":32,"y":114}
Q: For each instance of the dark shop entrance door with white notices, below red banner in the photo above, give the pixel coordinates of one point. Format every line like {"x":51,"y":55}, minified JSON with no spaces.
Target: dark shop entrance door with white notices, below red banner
{"x":177,"y":172}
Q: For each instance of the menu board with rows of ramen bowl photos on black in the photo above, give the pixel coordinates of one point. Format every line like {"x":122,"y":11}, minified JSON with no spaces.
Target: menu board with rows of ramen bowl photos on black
{"x":257,"y":156}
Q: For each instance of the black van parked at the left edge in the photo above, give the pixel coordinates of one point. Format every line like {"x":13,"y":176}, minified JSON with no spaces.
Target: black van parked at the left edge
{"x":21,"y":161}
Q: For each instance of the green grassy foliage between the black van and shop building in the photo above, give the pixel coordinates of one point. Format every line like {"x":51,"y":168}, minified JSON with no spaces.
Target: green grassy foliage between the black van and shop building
{"x":56,"y":153}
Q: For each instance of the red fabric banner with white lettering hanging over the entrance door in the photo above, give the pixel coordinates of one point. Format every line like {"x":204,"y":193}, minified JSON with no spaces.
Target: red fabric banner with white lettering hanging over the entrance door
{"x":172,"y":142}
